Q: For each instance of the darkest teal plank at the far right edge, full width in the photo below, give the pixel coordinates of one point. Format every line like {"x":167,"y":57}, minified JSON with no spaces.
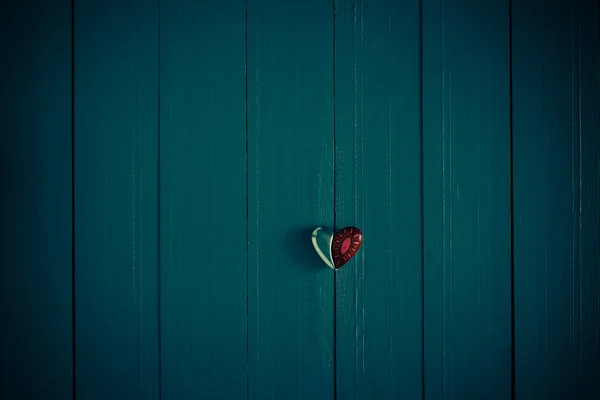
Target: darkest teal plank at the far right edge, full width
{"x":556,"y":106}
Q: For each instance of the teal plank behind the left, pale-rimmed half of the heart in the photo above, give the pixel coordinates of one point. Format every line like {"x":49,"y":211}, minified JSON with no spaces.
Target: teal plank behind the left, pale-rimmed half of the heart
{"x":290,"y":192}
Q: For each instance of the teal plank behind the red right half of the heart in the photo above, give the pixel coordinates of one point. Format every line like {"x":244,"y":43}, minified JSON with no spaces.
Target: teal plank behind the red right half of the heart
{"x":378,"y":189}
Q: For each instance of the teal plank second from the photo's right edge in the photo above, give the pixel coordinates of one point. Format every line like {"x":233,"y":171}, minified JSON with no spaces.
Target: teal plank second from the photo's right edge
{"x":467,"y":239}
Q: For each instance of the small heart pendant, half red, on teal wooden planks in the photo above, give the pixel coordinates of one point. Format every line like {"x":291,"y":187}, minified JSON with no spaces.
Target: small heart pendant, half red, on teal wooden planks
{"x":336,"y":249}
